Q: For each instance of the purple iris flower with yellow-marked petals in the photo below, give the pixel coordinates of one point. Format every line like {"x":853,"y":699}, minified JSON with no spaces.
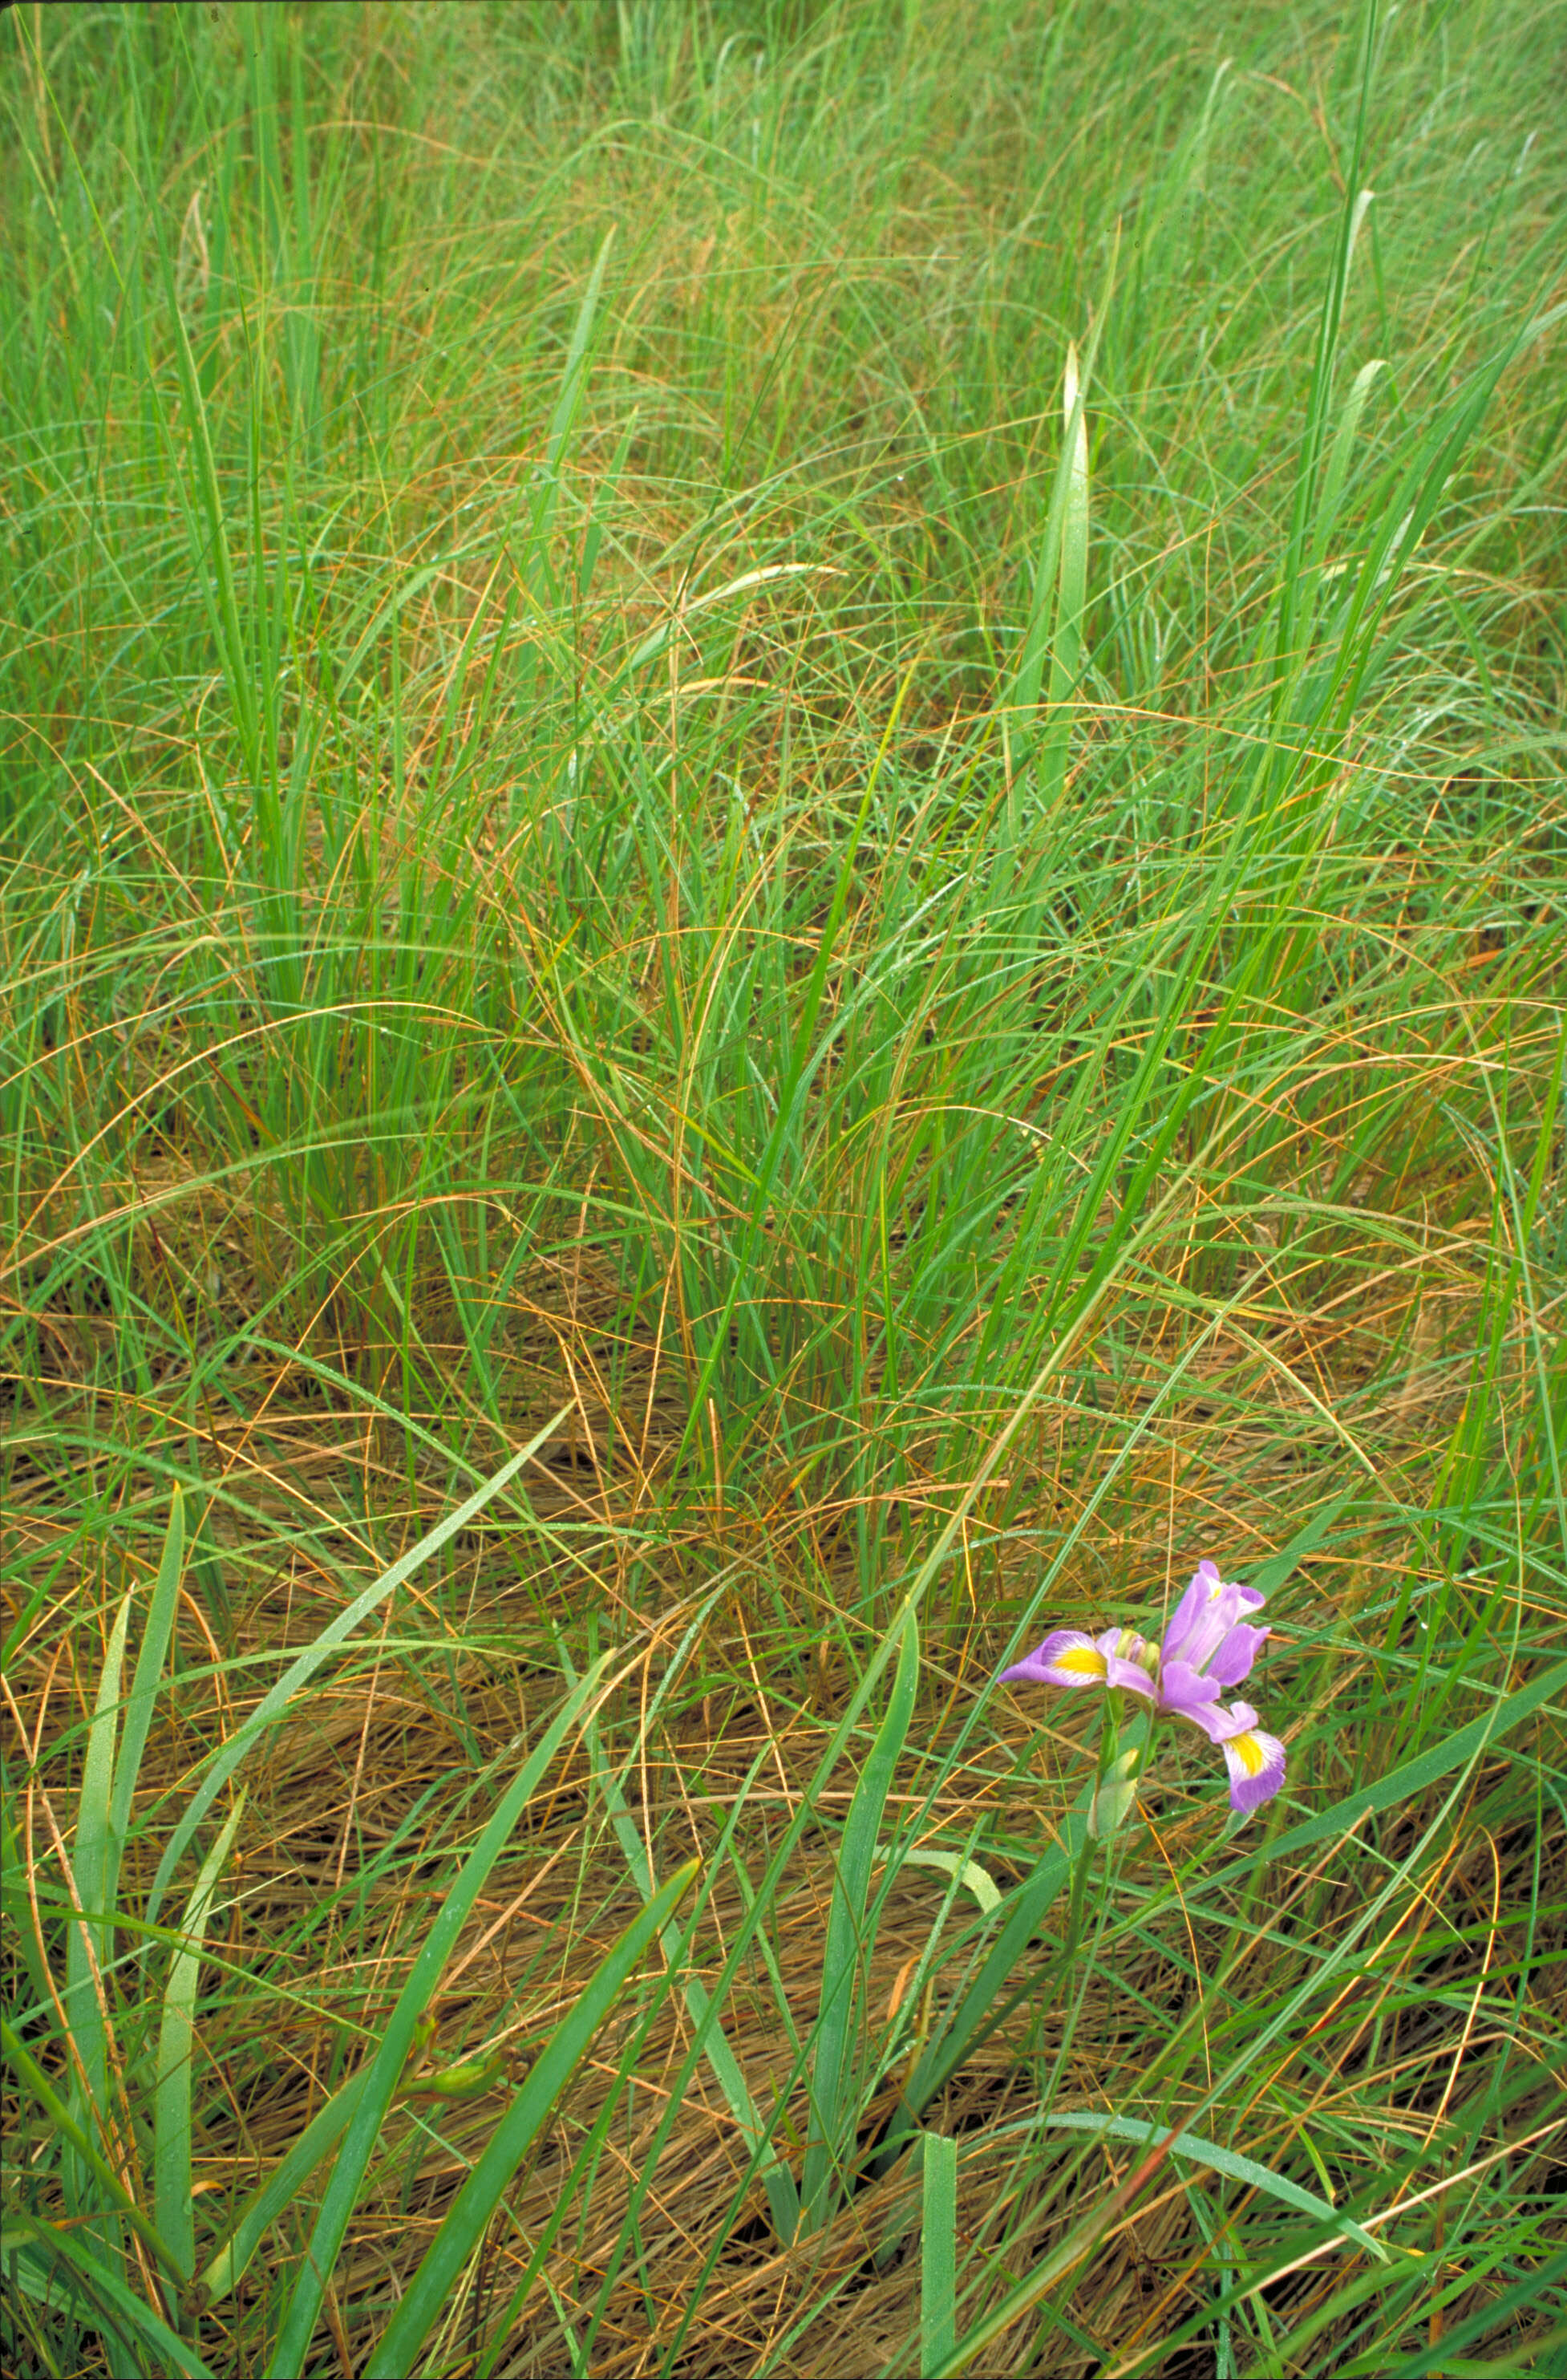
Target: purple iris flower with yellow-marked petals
{"x":1207,"y":1648}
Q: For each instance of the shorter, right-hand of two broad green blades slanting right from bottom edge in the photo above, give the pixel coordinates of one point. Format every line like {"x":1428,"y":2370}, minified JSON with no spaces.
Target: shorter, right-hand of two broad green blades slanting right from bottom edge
{"x":470,"y":2217}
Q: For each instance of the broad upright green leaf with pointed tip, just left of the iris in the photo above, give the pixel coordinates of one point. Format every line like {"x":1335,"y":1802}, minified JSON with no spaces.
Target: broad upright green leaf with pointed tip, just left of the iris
{"x":848,"y":1941}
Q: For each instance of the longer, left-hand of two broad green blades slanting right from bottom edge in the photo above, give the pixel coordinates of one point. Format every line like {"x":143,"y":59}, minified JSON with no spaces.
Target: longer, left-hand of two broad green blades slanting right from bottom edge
{"x":398,"y":2041}
